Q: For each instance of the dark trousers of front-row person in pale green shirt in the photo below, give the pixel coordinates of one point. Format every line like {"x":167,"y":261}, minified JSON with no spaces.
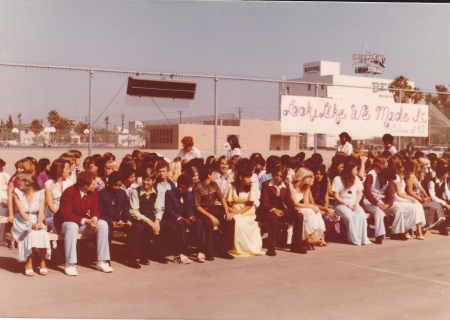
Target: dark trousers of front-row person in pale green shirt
{"x":144,"y":233}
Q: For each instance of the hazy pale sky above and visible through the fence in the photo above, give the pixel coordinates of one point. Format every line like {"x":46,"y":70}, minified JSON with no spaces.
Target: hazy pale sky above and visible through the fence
{"x":227,"y":38}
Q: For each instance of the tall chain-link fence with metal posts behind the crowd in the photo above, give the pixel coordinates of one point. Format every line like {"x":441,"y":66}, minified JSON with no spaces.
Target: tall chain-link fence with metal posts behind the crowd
{"x":48,"y":110}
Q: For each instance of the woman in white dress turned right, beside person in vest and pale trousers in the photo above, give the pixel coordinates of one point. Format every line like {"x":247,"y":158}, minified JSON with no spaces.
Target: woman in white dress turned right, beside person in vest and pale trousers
{"x":413,"y":213}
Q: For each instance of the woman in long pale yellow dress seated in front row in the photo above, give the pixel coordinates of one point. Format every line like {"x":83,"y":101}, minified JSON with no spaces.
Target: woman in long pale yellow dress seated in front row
{"x":240,"y":195}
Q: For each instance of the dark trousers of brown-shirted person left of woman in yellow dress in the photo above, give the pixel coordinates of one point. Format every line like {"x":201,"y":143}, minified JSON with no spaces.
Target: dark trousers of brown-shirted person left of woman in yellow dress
{"x":226,"y":234}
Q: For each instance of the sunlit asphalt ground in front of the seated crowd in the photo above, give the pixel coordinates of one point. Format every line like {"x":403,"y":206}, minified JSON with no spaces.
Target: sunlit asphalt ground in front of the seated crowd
{"x":395,"y":280}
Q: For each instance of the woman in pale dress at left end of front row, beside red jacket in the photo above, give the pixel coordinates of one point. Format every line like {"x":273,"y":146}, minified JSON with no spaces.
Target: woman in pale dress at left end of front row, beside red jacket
{"x":28,"y":227}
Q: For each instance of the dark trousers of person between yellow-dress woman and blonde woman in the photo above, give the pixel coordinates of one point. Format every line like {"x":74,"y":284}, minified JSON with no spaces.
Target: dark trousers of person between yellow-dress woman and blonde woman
{"x":290,"y":216}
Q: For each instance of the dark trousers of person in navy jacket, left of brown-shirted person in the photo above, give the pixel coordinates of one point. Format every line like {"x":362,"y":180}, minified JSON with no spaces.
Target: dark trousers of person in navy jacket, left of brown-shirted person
{"x":177,"y":235}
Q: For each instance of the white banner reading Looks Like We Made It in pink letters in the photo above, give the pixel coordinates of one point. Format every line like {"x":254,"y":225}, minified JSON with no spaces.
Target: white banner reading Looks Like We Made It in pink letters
{"x":369,"y":118}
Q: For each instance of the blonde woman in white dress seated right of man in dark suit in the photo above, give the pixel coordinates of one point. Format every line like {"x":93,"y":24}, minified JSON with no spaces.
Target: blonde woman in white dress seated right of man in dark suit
{"x":313,"y":224}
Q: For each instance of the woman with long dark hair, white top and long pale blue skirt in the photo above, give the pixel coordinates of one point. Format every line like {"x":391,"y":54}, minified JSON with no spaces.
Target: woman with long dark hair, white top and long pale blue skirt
{"x":348,"y":191}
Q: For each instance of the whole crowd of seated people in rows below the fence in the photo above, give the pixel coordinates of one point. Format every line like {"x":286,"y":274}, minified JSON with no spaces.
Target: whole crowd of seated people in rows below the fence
{"x":197,"y":209}
